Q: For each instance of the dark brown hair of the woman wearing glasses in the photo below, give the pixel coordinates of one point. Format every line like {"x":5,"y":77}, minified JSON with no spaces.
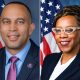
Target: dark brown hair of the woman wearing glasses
{"x":73,"y":10}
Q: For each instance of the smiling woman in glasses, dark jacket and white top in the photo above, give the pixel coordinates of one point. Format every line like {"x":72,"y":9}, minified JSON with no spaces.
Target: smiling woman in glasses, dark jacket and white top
{"x":66,"y":64}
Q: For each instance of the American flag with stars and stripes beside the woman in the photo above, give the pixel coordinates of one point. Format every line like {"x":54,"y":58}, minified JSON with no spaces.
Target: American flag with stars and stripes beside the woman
{"x":48,"y":11}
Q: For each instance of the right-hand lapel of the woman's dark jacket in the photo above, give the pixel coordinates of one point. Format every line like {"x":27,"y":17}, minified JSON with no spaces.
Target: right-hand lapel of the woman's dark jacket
{"x":71,"y":69}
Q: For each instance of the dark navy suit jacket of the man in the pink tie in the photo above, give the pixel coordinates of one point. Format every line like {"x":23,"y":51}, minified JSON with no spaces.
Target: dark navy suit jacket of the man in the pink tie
{"x":30,"y":68}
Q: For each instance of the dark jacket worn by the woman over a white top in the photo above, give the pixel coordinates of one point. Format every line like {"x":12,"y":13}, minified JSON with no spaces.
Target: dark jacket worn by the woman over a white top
{"x":72,"y":72}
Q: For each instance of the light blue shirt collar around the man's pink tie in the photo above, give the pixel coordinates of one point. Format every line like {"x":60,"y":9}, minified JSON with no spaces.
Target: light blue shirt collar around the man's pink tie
{"x":21,"y":54}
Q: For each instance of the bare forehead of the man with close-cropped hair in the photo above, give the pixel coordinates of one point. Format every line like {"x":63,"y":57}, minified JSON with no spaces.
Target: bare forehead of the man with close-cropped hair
{"x":14,"y":9}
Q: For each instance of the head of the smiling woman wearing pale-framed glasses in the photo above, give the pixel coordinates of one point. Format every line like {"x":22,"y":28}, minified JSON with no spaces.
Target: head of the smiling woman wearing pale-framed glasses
{"x":67,"y":28}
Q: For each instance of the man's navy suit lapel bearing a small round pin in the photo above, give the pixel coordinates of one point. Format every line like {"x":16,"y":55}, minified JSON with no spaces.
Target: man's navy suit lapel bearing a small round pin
{"x":28,"y":64}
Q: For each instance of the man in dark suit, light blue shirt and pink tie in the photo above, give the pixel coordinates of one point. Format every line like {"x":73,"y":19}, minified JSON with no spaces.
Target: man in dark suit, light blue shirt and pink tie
{"x":19,"y":60}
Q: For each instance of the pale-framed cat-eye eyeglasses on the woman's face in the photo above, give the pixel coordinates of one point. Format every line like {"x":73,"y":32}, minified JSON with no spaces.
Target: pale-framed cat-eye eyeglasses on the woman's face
{"x":67,"y":30}
